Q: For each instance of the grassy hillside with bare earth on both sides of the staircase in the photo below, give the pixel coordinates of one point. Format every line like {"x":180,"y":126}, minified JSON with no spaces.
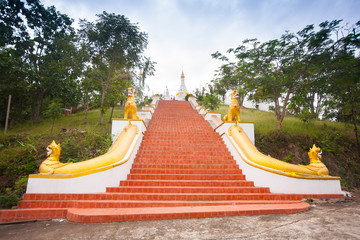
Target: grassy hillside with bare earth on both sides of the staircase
{"x":24,"y":148}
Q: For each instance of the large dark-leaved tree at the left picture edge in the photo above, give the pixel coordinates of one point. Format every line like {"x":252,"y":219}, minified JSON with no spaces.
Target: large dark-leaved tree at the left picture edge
{"x":42,"y":42}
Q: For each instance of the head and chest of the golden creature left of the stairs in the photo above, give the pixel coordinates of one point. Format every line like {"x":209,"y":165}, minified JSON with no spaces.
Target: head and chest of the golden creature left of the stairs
{"x":52,"y":161}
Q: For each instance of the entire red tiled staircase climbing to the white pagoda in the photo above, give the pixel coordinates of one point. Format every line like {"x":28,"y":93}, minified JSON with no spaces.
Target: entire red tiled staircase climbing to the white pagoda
{"x":182,"y":170}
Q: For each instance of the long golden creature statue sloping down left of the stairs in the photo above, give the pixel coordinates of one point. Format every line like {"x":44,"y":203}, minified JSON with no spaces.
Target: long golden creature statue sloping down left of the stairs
{"x":103,"y":162}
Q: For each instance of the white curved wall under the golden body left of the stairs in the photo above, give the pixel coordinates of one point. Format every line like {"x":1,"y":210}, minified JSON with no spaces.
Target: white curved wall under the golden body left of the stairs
{"x":93,"y":183}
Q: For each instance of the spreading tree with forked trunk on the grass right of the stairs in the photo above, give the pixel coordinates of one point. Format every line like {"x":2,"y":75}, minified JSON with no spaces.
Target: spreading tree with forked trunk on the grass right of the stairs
{"x":279,"y":67}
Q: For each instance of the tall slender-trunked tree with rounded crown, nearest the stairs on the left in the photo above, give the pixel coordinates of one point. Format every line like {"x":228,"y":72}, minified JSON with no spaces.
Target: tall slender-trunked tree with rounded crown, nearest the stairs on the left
{"x":113,"y":43}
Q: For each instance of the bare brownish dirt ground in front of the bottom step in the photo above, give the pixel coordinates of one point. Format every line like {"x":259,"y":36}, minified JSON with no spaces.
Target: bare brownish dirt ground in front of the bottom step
{"x":325,"y":220}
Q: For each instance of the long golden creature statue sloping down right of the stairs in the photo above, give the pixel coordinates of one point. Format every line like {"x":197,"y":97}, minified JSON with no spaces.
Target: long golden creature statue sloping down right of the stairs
{"x":316,"y":169}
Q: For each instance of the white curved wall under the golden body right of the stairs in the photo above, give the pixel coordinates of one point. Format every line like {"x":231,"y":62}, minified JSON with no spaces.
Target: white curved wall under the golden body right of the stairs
{"x":279,"y":183}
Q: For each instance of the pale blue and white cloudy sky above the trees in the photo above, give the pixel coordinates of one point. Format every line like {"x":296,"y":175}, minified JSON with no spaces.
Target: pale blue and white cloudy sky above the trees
{"x":182,"y":34}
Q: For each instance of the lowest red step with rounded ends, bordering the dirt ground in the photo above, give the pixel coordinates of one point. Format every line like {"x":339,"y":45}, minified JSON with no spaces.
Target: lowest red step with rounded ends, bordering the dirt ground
{"x":96,"y":215}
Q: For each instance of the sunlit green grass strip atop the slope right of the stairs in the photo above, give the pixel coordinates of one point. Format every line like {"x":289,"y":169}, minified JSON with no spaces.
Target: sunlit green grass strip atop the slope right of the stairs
{"x":265,"y":123}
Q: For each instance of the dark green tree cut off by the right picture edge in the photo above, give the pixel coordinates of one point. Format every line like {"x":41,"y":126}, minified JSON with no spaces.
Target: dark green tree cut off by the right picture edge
{"x":344,"y":81}
